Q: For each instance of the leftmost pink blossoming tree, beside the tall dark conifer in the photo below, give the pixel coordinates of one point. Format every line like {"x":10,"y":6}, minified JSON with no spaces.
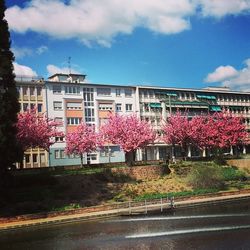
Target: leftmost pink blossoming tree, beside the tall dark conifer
{"x":35,"y":130}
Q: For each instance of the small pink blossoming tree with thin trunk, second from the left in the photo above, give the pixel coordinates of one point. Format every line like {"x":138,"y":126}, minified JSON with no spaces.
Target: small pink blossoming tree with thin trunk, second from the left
{"x":83,"y":140}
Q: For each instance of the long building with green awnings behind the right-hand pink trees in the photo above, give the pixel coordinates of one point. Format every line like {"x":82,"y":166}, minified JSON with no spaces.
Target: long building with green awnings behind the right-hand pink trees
{"x":157,"y":103}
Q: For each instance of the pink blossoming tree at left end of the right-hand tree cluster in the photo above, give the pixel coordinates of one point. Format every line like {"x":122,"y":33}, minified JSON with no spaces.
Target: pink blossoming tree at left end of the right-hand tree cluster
{"x":176,"y":131}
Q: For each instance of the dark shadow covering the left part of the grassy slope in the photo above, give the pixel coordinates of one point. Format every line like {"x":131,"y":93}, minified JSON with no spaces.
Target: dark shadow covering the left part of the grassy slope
{"x":46,"y":192}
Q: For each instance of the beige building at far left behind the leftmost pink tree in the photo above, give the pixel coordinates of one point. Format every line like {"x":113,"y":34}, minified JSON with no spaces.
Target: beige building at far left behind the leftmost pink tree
{"x":32,"y":94}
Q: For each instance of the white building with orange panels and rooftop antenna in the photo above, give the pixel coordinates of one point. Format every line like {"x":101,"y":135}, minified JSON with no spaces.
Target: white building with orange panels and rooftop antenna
{"x":71,"y":100}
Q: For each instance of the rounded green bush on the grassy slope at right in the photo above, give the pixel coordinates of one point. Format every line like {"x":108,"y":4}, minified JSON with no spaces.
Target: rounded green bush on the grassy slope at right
{"x":203,"y":177}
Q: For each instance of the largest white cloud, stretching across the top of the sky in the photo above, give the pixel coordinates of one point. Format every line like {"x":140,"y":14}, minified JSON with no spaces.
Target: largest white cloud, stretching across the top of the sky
{"x":91,"y":21}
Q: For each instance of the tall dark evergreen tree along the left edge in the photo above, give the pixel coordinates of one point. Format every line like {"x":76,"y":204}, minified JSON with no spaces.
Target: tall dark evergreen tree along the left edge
{"x":9,"y":106}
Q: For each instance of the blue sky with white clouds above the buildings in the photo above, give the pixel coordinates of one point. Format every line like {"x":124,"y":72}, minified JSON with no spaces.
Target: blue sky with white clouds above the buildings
{"x":171,"y":43}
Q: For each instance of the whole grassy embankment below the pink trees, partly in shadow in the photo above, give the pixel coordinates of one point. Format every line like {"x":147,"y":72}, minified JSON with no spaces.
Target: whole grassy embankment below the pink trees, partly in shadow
{"x":57,"y":190}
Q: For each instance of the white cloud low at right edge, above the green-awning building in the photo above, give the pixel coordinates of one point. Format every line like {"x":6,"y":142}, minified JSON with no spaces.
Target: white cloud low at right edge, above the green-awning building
{"x":230,"y":77}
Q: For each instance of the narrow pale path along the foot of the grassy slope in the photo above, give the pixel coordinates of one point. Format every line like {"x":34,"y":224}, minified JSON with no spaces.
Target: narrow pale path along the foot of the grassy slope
{"x":115,"y":212}
